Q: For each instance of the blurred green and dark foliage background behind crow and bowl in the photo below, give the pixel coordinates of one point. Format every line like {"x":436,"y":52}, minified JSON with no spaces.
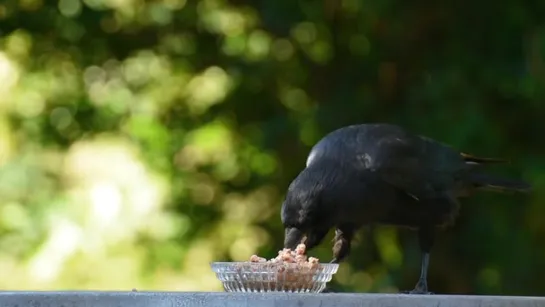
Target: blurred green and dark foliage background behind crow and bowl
{"x":142,"y":140}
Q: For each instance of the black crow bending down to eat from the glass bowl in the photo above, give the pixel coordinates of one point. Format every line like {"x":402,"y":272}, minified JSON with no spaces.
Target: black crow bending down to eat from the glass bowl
{"x":381,"y":174}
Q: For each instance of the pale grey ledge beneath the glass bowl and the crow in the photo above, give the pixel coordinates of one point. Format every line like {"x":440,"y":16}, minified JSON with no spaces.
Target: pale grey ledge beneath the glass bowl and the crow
{"x":202,"y":299}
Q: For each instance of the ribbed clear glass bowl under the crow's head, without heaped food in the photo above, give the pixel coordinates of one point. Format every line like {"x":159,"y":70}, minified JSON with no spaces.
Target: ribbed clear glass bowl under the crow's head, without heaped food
{"x":273,"y":277}
